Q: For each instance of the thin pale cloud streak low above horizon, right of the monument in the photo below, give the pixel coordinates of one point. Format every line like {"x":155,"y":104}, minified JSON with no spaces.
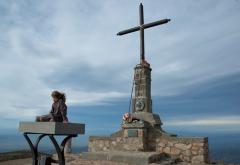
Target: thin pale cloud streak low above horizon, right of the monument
{"x":204,"y":125}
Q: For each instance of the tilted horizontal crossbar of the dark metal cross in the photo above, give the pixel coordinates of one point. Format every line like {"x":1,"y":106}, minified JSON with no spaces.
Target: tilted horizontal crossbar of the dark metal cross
{"x":145,"y":26}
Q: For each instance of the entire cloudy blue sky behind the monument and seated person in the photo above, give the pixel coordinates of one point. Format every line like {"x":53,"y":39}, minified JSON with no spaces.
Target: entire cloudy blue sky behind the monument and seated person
{"x":72,"y":46}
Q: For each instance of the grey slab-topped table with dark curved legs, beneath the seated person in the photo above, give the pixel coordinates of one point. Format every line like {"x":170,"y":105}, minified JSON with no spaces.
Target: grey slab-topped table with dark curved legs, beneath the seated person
{"x":50,"y":129}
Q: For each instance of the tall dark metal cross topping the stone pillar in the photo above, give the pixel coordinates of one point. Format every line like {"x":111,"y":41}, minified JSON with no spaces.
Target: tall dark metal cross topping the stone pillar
{"x":141,"y":28}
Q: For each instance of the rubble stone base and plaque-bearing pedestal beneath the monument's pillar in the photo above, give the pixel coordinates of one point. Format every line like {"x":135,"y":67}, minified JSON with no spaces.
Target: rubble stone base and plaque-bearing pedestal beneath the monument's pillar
{"x":143,"y":138}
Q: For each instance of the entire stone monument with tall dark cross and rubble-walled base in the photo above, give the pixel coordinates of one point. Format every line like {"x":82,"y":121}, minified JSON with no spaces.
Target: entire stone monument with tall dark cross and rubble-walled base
{"x":143,"y":141}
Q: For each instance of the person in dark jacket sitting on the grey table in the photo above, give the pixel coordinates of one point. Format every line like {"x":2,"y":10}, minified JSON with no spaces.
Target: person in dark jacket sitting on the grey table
{"x":58,"y":112}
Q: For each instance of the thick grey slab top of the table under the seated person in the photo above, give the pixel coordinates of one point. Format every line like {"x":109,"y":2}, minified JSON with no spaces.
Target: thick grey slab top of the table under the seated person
{"x":55,"y":128}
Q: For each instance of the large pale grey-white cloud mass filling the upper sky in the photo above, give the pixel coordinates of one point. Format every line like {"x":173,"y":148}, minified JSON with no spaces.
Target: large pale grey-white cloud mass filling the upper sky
{"x":72,"y":46}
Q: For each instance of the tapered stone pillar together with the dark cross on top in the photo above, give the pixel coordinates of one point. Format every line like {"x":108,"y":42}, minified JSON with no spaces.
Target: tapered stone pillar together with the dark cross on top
{"x":141,"y":101}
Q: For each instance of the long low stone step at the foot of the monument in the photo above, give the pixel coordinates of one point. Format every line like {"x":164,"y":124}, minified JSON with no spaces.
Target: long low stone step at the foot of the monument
{"x":131,"y":158}
